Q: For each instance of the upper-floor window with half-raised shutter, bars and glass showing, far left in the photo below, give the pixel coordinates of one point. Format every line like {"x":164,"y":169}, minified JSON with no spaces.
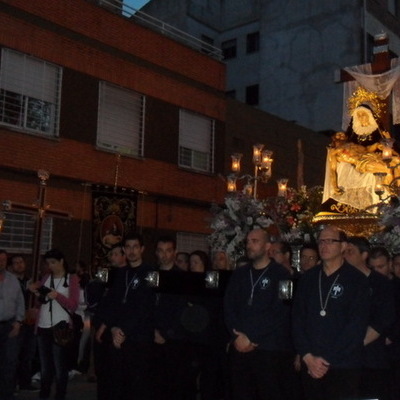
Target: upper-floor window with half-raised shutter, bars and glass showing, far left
{"x":29,"y":93}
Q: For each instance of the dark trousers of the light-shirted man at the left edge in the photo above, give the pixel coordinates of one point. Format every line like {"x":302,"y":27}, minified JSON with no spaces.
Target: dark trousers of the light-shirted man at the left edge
{"x":8,"y":361}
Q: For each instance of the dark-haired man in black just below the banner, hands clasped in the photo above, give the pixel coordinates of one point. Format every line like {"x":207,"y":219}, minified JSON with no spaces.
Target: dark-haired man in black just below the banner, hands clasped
{"x":130,"y":316}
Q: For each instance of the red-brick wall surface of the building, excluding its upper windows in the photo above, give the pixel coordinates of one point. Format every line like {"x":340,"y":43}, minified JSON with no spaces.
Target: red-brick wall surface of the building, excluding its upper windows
{"x":93,"y":44}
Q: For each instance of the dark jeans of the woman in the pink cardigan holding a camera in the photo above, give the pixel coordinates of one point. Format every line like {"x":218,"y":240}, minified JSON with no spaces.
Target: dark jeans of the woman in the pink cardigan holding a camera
{"x":53,"y":364}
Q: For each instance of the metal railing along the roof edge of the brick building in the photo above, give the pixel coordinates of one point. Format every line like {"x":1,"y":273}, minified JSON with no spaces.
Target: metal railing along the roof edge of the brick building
{"x":126,"y":11}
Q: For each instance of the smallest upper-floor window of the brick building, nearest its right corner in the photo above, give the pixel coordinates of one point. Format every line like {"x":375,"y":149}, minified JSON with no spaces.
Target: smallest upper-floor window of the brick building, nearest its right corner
{"x":196,"y":141}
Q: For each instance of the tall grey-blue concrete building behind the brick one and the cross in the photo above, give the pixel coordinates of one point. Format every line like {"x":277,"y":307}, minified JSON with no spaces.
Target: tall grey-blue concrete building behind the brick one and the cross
{"x":282,"y":56}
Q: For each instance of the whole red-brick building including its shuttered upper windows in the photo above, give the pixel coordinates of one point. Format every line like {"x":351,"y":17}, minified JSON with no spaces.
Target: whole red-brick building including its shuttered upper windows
{"x":80,"y":84}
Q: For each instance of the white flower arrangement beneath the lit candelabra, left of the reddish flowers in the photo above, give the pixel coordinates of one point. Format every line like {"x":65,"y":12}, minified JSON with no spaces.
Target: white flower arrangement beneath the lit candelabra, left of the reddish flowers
{"x":232,"y":222}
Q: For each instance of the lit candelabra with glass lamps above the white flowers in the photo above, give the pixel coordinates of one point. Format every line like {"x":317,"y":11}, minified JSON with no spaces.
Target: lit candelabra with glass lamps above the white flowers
{"x":262,"y":160}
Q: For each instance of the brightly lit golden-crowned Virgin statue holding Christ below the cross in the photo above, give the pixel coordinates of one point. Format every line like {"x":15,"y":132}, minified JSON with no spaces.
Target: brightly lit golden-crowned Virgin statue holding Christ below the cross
{"x":354,"y":157}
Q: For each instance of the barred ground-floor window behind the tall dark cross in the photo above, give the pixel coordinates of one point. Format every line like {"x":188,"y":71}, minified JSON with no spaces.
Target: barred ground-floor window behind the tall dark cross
{"x":18,"y":233}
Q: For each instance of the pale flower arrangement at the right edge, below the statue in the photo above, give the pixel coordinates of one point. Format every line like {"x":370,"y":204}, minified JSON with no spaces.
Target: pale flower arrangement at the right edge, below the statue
{"x":390,"y":221}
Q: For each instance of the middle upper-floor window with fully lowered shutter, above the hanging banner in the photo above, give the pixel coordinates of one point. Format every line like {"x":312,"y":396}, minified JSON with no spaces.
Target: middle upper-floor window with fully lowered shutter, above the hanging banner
{"x":121,"y":120}
